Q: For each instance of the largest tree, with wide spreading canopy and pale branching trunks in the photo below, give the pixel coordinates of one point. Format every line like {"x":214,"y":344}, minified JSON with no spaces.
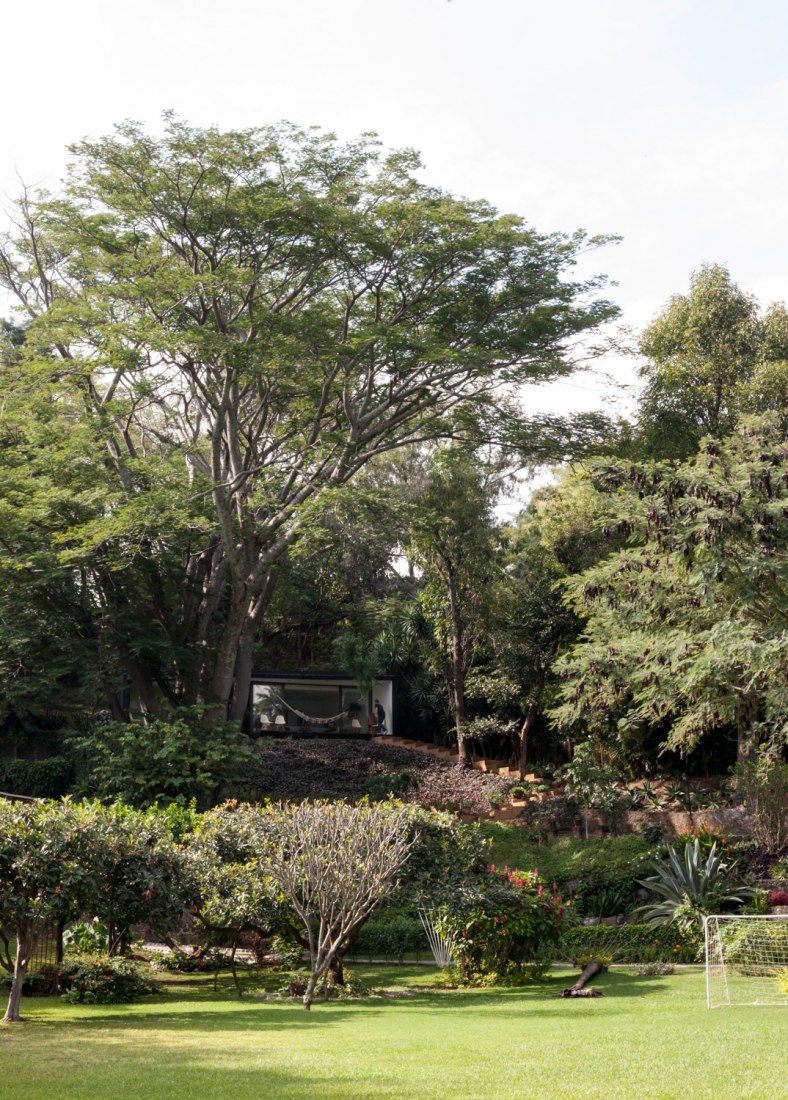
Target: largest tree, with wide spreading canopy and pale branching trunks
{"x":237,"y":323}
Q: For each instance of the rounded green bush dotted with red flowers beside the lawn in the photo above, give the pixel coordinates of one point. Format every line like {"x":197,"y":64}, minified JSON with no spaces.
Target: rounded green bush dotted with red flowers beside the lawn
{"x":505,"y":930}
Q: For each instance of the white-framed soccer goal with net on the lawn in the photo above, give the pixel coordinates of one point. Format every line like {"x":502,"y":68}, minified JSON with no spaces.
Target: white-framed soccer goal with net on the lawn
{"x":747,"y":961}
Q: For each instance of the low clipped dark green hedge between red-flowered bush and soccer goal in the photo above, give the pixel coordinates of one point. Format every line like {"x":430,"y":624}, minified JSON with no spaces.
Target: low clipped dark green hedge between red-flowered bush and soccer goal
{"x":633,"y":943}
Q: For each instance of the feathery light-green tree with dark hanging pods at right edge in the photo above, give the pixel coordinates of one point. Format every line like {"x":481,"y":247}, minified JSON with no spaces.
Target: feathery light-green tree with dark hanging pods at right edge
{"x":686,"y":626}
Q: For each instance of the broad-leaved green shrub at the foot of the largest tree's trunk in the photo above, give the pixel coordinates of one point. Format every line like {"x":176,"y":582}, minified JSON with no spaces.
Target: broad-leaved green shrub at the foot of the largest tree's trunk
{"x":162,"y":762}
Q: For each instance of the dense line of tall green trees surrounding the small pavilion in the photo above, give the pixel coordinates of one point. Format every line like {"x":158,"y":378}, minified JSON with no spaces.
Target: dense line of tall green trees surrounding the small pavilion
{"x":260,"y":406}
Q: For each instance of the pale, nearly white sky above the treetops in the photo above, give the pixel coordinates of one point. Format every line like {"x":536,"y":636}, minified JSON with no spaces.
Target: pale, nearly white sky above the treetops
{"x":665,"y":122}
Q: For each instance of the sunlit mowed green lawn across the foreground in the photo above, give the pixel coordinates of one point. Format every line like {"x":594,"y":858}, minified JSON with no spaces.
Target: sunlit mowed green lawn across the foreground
{"x":647,"y":1038}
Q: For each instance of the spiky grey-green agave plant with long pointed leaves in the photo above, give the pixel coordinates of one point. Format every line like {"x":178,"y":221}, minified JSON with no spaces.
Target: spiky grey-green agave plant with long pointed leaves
{"x":692,"y":888}
